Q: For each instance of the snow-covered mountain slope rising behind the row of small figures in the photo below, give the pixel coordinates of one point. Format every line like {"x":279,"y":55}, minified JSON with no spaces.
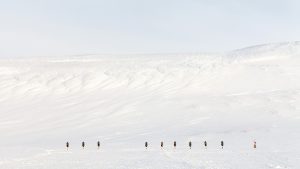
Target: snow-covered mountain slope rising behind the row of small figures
{"x":59,"y":99}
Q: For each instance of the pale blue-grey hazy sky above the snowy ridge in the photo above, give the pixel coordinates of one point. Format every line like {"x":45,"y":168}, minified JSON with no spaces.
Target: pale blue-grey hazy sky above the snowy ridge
{"x":66,"y":27}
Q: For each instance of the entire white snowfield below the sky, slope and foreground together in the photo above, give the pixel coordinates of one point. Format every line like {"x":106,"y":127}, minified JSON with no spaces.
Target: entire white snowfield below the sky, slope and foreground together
{"x":123,"y":101}
